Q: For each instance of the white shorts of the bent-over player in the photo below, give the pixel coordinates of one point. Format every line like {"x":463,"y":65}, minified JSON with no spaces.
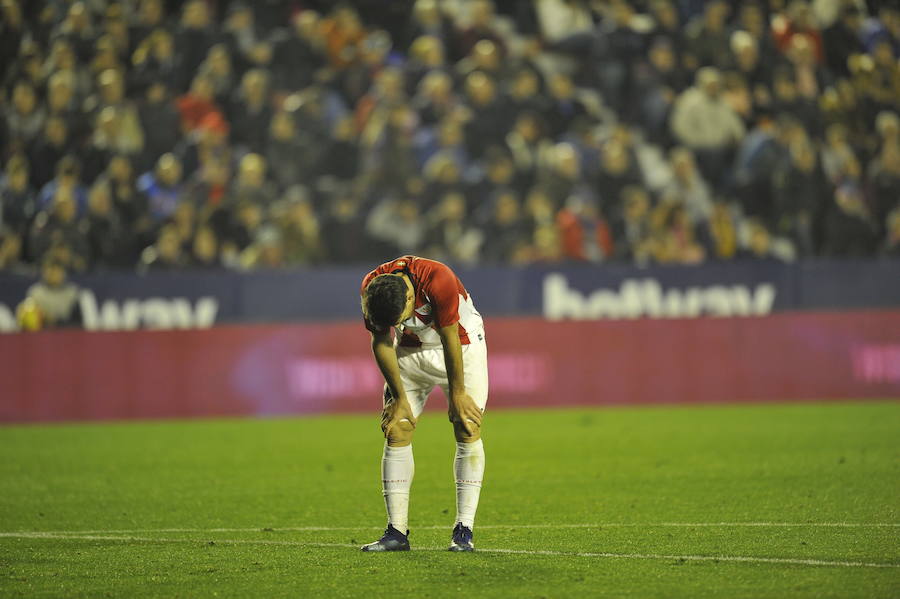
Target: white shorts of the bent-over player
{"x":422,"y":369}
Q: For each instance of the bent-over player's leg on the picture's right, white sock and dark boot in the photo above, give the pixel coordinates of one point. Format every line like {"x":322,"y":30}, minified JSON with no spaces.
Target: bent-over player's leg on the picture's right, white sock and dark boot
{"x":468,"y":464}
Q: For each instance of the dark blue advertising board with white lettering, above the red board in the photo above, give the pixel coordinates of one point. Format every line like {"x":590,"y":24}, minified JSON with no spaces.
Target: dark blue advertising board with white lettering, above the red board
{"x":180,"y":300}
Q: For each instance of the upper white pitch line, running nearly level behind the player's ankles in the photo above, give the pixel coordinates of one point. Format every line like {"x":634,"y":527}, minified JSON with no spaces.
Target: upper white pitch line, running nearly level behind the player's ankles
{"x":480,"y":527}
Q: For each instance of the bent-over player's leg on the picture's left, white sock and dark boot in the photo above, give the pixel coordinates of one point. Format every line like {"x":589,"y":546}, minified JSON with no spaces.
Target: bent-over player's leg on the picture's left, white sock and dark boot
{"x":398,"y":468}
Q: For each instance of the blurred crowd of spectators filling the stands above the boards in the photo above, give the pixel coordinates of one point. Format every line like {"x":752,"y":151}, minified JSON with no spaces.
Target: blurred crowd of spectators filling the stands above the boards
{"x":157,"y":134}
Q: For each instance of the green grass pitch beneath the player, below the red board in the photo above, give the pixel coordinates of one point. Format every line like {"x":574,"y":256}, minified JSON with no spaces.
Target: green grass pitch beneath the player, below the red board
{"x":797,"y":500}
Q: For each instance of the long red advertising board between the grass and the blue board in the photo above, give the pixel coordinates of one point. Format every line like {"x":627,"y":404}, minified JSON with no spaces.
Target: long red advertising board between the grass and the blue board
{"x":305,"y":368}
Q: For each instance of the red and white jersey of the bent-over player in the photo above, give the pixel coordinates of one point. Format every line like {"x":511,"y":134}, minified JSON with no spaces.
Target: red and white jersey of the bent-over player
{"x":441,"y":300}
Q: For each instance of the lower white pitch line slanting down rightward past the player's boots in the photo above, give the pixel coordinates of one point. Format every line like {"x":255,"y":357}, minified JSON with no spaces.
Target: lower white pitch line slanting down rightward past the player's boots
{"x":643,"y":556}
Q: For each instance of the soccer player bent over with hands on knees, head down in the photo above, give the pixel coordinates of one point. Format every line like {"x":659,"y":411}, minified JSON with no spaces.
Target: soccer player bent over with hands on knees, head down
{"x":439,"y":342}
